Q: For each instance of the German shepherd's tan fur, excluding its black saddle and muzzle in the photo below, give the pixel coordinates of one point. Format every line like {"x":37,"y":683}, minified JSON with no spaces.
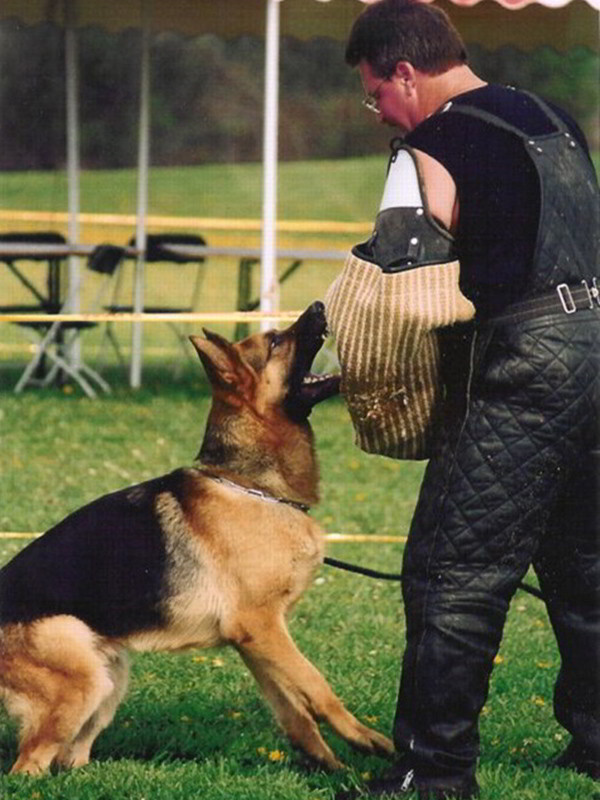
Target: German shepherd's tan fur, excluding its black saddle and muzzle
{"x":237,"y":563}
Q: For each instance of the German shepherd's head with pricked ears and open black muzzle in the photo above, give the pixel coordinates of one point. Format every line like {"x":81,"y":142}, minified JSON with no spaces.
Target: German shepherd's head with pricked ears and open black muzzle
{"x":270,"y":371}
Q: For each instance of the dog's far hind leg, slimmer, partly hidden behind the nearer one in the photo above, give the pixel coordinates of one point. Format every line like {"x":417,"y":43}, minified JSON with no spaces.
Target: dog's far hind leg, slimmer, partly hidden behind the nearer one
{"x":77,"y":752}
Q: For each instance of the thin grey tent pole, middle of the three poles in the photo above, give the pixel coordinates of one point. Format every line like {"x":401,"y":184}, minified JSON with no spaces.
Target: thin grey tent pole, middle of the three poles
{"x":135,"y":377}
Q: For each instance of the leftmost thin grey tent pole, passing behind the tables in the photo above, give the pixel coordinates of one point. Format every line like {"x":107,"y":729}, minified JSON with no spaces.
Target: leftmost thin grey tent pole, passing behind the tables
{"x":72,"y":125}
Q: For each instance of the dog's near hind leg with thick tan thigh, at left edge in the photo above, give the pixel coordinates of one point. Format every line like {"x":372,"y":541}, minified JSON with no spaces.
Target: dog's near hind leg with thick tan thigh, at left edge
{"x":54,"y":679}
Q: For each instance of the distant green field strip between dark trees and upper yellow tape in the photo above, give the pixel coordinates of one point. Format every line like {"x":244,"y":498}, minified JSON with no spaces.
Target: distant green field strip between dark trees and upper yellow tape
{"x":348,"y":189}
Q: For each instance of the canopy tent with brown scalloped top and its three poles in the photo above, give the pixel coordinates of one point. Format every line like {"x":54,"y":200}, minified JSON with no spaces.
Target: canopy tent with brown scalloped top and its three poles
{"x":561,"y":23}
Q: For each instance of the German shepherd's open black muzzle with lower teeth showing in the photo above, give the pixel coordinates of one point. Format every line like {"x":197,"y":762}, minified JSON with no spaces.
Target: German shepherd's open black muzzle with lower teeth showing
{"x":306,"y":388}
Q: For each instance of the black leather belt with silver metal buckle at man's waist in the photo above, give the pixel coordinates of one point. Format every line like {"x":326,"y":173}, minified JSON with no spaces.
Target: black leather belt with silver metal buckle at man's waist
{"x":564,"y":299}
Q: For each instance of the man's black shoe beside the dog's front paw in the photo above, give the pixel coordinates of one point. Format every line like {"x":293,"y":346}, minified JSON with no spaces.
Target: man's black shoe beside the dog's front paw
{"x":402,"y":782}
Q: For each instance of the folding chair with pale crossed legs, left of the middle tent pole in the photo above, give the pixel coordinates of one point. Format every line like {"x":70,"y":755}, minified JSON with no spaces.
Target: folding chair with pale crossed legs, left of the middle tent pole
{"x":58,"y":348}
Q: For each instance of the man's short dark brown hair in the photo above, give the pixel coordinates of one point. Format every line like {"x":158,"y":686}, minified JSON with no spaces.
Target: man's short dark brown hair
{"x":390,"y":31}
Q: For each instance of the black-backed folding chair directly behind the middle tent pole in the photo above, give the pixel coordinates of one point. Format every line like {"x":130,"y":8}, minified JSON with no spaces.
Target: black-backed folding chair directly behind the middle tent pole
{"x":157,"y":251}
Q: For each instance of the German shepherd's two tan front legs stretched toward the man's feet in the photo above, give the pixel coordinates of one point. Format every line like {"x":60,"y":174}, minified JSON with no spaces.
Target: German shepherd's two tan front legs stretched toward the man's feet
{"x":299,"y":694}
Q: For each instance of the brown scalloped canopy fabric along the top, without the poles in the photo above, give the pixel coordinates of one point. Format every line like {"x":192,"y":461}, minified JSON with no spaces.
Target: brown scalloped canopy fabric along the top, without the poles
{"x":559,"y":22}
